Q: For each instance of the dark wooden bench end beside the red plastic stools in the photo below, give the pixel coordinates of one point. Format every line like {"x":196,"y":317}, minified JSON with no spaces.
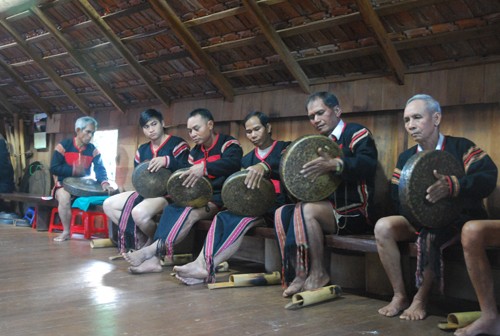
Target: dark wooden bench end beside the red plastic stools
{"x":42,"y":207}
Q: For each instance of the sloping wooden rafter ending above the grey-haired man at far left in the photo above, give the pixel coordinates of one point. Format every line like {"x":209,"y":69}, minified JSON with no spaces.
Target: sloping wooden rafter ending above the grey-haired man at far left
{"x":63,"y":86}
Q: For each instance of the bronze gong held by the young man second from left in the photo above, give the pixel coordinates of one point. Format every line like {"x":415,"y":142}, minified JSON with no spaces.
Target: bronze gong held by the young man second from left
{"x":149,"y":184}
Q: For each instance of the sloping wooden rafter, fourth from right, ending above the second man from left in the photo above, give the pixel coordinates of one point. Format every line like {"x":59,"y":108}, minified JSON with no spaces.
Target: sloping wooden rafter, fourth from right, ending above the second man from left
{"x":124,"y":51}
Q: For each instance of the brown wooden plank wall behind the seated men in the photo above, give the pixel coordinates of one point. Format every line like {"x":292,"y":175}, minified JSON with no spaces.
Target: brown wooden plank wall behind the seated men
{"x":469,"y":97}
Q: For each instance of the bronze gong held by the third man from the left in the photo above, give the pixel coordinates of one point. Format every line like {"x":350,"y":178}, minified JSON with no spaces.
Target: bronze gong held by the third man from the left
{"x":196,"y":197}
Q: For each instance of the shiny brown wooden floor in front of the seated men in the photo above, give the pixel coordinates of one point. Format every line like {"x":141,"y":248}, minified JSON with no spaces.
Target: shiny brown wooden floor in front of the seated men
{"x":49,"y":288}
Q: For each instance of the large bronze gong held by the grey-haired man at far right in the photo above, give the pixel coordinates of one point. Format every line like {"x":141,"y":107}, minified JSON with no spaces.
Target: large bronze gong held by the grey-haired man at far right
{"x":417,"y":175}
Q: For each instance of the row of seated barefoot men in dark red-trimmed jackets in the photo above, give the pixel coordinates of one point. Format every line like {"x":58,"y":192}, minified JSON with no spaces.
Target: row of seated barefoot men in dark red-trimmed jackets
{"x":300,"y":226}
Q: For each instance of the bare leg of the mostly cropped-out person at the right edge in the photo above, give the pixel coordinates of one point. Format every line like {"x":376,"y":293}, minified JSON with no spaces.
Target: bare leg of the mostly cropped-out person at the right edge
{"x":476,"y":235}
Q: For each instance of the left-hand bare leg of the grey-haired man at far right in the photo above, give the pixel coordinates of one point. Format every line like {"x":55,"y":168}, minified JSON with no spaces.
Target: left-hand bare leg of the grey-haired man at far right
{"x":388,"y":231}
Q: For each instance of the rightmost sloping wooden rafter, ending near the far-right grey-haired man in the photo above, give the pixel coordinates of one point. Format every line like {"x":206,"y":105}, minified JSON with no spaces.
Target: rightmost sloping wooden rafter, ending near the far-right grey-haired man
{"x":391,"y":56}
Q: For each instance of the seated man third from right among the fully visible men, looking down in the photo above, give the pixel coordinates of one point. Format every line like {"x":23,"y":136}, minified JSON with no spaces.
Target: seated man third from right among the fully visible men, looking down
{"x":227,"y":230}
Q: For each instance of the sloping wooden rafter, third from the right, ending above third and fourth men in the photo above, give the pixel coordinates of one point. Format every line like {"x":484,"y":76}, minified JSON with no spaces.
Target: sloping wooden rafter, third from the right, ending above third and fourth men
{"x":197,"y":53}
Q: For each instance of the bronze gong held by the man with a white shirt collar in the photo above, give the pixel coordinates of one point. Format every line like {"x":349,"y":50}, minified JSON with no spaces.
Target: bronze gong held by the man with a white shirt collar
{"x":301,"y":151}
